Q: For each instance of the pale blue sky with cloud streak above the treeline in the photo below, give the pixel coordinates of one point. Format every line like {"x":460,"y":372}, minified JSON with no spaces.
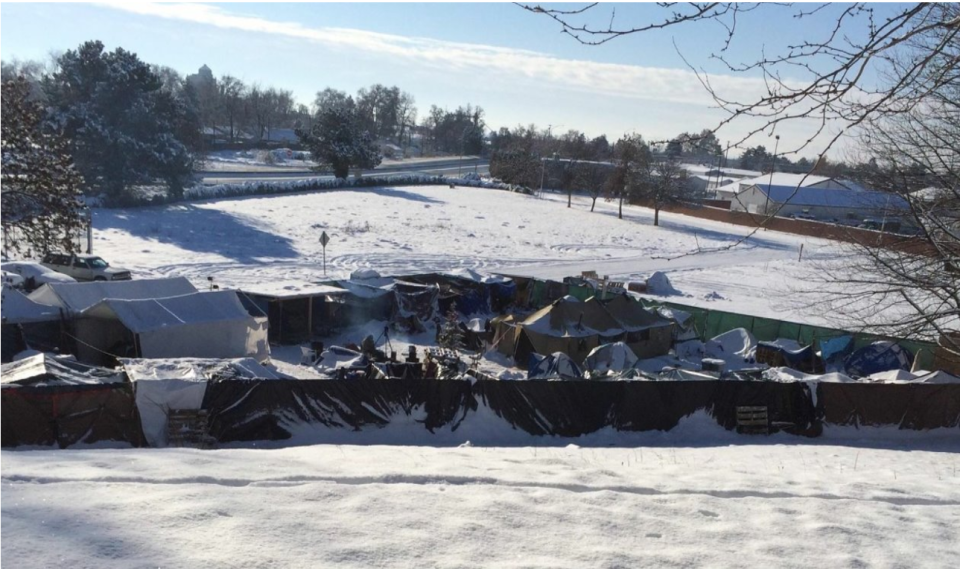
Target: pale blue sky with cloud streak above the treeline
{"x":516,"y":65}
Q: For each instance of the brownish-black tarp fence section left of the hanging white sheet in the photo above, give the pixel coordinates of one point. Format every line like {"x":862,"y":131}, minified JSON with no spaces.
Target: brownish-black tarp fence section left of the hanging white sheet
{"x":69,"y":415}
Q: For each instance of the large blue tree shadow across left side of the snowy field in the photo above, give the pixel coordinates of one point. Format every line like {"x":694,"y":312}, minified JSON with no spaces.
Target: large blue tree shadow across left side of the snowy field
{"x":199,"y":230}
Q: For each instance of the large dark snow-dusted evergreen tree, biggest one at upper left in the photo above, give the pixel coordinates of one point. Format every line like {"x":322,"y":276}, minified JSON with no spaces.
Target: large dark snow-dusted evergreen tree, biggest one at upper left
{"x":125,"y":129}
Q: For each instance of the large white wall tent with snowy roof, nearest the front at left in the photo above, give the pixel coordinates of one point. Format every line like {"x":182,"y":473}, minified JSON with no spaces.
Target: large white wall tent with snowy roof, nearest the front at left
{"x":202,"y":324}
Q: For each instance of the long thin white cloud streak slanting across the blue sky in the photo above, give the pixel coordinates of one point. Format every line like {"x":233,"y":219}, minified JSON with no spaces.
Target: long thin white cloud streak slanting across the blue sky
{"x":630,"y":81}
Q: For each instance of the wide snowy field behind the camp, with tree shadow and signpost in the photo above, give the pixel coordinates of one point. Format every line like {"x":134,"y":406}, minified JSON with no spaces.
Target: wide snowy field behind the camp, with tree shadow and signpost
{"x":246,"y":241}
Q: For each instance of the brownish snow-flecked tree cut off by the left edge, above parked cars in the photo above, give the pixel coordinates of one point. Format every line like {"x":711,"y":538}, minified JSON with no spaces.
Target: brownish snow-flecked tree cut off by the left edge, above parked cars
{"x":39,"y":186}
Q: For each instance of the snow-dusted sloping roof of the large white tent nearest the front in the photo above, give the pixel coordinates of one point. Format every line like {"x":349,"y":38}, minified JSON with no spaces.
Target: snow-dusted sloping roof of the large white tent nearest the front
{"x":153,"y":314}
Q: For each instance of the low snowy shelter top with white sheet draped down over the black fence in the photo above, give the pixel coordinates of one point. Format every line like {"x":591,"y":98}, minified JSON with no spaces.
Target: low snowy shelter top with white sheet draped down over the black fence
{"x":179,"y":384}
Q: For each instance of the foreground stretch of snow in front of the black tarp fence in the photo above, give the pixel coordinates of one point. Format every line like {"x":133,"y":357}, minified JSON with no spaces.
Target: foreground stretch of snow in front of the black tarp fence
{"x":779,"y":502}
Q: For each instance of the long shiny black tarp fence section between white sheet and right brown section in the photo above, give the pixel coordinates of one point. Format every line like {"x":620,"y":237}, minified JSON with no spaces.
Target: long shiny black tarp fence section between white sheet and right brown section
{"x":270,"y":410}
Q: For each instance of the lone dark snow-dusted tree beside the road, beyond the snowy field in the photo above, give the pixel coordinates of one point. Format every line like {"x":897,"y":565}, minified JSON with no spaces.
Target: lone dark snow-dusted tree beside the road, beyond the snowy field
{"x":337,"y":140}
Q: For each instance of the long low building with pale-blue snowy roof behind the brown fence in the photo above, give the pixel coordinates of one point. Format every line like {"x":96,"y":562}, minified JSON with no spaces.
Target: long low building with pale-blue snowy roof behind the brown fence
{"x":820,"y":203}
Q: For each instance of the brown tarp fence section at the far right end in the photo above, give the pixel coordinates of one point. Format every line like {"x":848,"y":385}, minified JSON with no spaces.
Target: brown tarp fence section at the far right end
{"x":907,"y":406}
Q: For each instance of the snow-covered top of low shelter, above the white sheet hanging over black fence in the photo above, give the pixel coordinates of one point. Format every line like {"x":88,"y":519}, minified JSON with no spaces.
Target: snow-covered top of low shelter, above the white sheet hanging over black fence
{"x":195,"y":369}
